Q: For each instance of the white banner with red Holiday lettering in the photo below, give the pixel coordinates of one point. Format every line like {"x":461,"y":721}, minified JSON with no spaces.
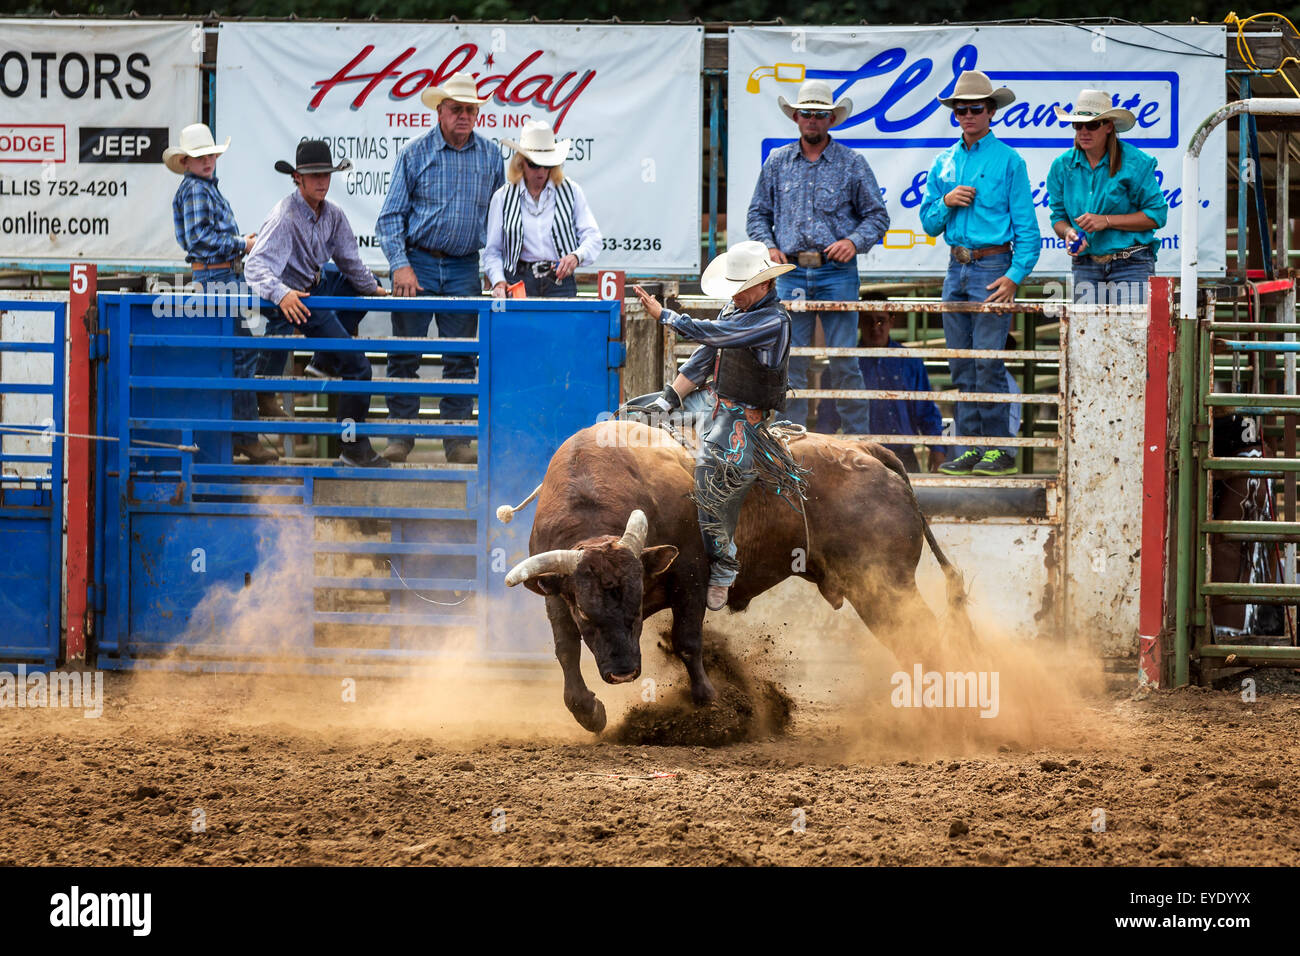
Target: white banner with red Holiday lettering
{"x":627,"y":97}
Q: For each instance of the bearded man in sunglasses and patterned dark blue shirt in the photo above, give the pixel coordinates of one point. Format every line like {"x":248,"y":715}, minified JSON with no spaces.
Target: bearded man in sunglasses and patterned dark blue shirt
{"x":818,"y":207}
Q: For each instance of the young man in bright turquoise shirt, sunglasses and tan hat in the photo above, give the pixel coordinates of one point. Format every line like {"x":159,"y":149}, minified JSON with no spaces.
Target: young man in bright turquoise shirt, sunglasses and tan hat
{"x":978,"y":198}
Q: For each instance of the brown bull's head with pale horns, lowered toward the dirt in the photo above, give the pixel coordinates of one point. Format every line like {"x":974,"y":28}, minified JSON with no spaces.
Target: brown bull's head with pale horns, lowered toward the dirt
{"x":603,"y":583}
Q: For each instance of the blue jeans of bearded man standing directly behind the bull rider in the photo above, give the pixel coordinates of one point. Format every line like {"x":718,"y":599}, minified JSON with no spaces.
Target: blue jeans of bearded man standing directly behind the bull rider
{"x":831,"y":283}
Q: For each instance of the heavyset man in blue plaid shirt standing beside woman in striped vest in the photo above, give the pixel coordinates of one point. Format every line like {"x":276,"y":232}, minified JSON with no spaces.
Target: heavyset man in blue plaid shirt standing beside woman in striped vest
{"x":432,"y":227}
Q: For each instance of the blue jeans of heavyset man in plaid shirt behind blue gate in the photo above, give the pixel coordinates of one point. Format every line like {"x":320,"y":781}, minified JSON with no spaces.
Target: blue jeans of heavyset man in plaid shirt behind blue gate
{"x":439,"y":278}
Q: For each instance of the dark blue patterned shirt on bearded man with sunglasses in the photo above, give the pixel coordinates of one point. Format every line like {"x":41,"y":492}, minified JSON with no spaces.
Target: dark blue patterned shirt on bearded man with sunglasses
{"x":801,"y":206}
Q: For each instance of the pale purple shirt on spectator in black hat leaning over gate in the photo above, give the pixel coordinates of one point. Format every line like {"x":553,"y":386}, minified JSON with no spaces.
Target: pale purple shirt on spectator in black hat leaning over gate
{"x":294,"y":244}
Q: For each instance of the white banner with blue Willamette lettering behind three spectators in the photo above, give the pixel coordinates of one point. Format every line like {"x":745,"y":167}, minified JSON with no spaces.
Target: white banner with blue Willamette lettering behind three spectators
{"x":1171,"y":77}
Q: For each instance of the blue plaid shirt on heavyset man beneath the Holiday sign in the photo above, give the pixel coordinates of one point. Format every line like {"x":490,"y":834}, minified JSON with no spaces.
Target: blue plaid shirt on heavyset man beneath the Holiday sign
{"x":439,"y":197}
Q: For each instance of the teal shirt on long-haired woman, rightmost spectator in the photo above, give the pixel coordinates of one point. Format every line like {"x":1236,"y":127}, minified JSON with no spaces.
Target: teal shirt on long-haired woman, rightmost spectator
{"x":1077,"y":188}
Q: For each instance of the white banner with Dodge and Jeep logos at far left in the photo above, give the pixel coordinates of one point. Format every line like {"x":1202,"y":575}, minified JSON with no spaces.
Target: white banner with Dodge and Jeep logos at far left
{"x":86,"y":111}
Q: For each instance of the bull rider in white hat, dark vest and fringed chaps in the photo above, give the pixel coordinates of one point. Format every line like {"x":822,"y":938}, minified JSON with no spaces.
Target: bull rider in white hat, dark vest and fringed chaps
{"x":748,"y":348}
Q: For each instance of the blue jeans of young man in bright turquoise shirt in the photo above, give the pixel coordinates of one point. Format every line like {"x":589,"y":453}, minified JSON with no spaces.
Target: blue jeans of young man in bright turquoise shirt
{"x":978,"y":331}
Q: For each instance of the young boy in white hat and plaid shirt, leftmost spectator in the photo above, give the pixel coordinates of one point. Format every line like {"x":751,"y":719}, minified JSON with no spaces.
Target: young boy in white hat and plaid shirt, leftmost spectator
{"x":214,"y":246}
